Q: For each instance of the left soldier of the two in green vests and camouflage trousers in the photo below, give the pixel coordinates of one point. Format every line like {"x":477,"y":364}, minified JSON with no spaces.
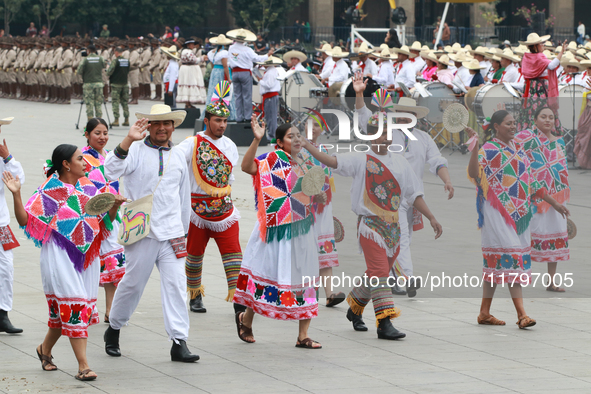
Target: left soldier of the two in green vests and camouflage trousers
{"x":91,"y":71}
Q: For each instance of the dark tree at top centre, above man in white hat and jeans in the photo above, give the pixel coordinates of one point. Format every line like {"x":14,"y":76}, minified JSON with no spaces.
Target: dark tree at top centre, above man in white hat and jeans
{"x":262,"y":15}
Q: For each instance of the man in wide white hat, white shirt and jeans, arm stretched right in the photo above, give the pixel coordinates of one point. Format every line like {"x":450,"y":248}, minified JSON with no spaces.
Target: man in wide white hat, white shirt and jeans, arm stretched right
{"x":241,"y":59}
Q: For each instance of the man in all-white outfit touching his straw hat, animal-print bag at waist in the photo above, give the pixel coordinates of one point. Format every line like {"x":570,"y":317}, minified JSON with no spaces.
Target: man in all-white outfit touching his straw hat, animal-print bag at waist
{"x":150,"y":166}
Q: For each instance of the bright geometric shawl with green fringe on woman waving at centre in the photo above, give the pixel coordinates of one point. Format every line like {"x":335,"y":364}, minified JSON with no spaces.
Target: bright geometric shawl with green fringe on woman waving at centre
{"x":283,"y":210}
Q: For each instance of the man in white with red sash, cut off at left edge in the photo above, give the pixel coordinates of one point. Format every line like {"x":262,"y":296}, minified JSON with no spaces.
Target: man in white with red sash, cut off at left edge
{"x":8,"y":240}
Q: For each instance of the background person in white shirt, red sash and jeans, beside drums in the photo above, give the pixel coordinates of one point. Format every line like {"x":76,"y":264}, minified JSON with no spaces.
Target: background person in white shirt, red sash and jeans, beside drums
{"x":269,"y":88}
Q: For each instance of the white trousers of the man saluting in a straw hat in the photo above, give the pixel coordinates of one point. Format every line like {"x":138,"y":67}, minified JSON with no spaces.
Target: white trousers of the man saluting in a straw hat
{"x":141,"y":258}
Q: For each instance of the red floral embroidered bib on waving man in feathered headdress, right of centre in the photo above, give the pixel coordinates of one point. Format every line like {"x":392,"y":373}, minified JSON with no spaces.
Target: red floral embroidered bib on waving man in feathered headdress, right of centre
{"x":382,"y":191}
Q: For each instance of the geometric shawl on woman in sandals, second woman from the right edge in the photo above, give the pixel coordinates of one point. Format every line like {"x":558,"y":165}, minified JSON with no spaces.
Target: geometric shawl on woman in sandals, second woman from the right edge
{"x":506,"y":182}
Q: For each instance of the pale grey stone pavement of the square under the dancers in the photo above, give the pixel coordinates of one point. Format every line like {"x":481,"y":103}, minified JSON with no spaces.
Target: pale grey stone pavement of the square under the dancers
{"x":445,"y":350}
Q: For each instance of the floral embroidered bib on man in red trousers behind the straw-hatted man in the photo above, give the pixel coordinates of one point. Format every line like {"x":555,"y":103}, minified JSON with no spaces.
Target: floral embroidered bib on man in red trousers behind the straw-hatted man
{"x":211,"y":168}
